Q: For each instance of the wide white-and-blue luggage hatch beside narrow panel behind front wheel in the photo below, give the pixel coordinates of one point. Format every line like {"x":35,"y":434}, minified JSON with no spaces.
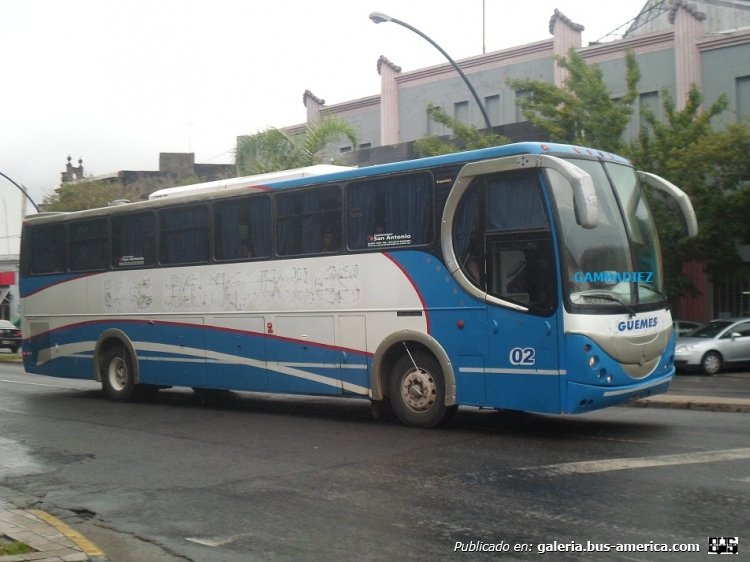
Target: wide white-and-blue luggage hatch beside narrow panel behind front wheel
{"x":302,"y":355}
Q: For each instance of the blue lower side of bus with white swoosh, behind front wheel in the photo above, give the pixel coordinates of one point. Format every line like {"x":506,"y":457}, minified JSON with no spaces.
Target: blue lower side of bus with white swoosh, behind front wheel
{"x":193,"y":364}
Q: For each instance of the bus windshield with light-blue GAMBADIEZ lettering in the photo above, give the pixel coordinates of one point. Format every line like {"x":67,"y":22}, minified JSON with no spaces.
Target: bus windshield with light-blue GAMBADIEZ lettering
{"x":618,"y":261}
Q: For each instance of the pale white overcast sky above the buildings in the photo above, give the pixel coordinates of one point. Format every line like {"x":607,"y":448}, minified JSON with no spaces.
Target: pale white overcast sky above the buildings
{"x":117,"y":82}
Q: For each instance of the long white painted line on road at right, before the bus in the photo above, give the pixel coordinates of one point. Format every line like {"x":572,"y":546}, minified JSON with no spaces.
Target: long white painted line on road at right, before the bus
{"x":607,"y":465}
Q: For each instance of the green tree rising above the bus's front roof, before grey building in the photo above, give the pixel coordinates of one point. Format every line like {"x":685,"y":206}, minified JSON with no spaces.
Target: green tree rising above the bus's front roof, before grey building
{"x":582,"y":111}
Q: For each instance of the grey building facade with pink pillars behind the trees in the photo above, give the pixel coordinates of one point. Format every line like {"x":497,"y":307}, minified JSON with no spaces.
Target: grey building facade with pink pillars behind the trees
{"x":676,"y":43}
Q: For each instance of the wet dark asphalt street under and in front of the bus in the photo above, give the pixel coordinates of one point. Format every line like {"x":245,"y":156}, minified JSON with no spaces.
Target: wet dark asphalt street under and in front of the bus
{"x":248,"y":477}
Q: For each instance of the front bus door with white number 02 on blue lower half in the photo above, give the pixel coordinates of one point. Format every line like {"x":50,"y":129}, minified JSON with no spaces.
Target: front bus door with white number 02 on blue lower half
{"x":520,"y":279}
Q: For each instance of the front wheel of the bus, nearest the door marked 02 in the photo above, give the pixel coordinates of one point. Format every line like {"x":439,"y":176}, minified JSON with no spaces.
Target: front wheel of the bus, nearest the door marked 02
{"x":417,"y":390}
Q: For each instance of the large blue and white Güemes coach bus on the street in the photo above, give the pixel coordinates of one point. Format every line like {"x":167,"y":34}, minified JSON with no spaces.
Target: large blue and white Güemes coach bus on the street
{"x":523,"y":277}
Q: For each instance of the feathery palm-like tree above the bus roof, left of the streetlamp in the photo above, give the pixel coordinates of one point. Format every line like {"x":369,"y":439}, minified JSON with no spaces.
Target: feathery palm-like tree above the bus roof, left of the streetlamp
{"x":272,"y":149}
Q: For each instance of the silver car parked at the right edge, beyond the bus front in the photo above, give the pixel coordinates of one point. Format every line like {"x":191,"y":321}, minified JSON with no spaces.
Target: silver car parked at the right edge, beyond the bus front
{"x":713,"y":347}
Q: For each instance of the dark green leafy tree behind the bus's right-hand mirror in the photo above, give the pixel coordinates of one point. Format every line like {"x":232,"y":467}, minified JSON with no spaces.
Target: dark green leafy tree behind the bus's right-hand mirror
{"x":713,"y":169}
